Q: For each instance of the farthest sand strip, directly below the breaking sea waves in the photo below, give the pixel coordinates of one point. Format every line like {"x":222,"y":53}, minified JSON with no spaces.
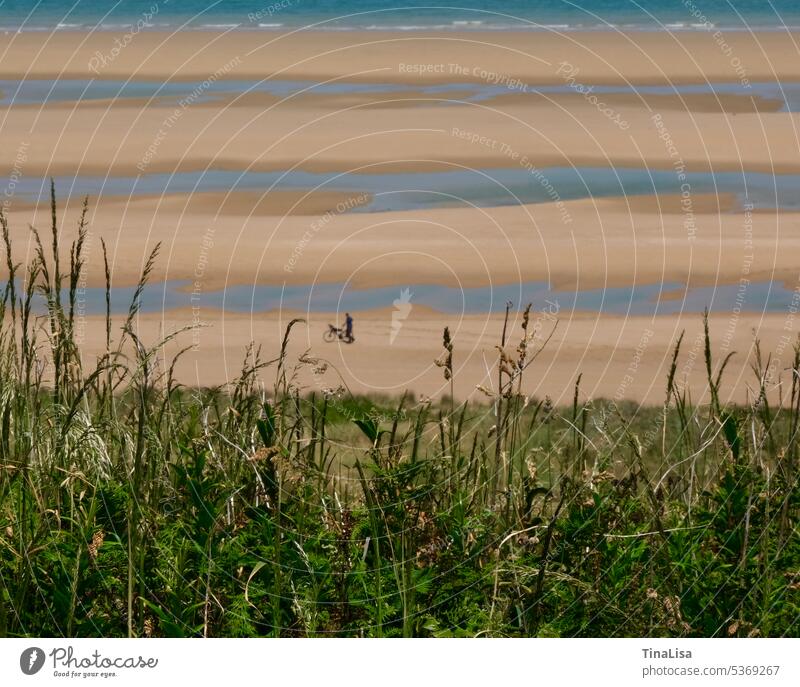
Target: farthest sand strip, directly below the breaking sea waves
{"x":603,"y":56}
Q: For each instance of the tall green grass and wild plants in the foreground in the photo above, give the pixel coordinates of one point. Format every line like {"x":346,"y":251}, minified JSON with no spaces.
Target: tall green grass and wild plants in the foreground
{"x":130,"y":505}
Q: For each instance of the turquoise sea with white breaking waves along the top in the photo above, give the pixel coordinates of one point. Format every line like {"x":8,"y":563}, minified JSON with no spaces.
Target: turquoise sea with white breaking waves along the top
{"x":32,"y":15}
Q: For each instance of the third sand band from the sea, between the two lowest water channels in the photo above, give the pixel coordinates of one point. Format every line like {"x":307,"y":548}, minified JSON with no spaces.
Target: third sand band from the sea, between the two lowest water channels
{"x":607,"y":243}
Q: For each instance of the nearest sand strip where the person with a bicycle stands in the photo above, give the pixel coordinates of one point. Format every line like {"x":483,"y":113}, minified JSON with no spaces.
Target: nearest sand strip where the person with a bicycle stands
{"x":617,"y":358}
